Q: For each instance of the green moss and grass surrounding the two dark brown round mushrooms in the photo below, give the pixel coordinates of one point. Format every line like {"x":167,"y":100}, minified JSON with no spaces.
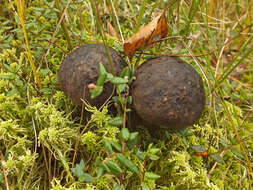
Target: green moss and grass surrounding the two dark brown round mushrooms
{"x":46,"y":142}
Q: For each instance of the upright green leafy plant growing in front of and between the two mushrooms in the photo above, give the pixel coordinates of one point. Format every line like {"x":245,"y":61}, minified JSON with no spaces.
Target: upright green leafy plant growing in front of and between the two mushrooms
{"x":121,"y":151}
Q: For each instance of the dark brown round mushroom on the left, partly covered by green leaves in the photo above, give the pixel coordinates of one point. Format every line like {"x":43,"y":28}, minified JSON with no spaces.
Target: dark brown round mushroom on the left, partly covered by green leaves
{"x":80,"y":68}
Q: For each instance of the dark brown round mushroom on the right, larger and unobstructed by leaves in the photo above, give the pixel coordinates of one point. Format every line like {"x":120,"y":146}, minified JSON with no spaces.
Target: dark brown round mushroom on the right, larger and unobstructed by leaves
{"x":168,"y":92}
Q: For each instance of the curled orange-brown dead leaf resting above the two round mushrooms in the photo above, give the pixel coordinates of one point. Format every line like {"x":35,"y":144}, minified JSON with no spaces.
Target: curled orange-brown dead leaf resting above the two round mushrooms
{"x":156,"y":29}
